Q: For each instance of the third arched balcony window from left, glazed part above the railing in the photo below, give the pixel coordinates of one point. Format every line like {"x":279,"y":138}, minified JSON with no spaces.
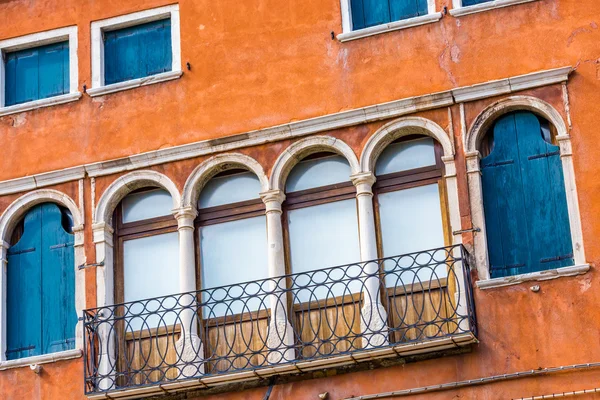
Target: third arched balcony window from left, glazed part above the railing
{"x":320,"y":208}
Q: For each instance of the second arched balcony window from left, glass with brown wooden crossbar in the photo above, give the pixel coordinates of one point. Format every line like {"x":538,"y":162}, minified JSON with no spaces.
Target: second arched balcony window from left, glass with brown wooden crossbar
{"x":232,"y":235}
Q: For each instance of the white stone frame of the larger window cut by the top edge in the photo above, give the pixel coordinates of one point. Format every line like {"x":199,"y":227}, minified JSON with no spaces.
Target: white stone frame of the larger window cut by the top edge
{"x":349,"y":34}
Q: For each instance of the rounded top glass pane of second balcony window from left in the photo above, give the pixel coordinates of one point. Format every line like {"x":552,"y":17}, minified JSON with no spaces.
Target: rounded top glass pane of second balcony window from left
{"x":229,"y":189}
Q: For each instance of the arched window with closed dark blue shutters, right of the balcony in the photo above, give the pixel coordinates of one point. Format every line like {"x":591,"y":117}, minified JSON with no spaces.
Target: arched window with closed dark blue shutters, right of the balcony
{"x":526,"y":216}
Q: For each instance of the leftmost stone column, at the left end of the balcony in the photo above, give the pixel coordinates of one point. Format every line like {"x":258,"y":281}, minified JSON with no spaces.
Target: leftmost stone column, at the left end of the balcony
{"x":103,"y":239}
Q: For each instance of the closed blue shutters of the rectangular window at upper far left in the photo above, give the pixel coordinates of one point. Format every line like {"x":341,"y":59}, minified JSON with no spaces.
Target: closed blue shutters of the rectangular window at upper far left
{"x":36,"y":73}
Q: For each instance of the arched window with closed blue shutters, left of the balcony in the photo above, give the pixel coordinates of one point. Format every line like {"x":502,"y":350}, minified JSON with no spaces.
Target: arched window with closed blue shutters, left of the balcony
{"x":41,"y":315}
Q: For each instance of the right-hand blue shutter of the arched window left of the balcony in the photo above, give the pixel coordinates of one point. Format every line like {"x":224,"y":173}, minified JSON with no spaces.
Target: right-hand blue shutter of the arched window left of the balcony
{"x":58,"y":278}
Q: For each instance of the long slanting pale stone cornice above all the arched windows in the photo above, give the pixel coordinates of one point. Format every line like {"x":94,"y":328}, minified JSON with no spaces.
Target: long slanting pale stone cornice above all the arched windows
{"x":343,"y":119}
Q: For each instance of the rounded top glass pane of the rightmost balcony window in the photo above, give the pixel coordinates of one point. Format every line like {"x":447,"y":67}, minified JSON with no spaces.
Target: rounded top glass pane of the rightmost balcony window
{"x":404,"y":156}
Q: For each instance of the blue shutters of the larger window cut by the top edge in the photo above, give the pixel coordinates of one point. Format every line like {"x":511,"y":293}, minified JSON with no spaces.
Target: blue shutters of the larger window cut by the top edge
{"x":366,"y":13}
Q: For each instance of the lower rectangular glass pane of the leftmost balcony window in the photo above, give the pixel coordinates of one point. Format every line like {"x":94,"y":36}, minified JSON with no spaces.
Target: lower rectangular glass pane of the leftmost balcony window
{"x":151,"y":269}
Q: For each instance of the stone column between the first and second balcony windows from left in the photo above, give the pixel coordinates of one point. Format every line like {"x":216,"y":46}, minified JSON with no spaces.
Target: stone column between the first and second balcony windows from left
{"x":189,"y":347}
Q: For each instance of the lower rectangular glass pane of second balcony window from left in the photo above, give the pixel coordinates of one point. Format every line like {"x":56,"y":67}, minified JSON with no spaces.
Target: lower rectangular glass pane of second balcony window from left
{"x":234,"y":252}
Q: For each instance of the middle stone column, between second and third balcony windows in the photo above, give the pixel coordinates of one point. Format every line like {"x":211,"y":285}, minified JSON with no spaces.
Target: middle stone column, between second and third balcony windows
{"x":280,"y":339}
